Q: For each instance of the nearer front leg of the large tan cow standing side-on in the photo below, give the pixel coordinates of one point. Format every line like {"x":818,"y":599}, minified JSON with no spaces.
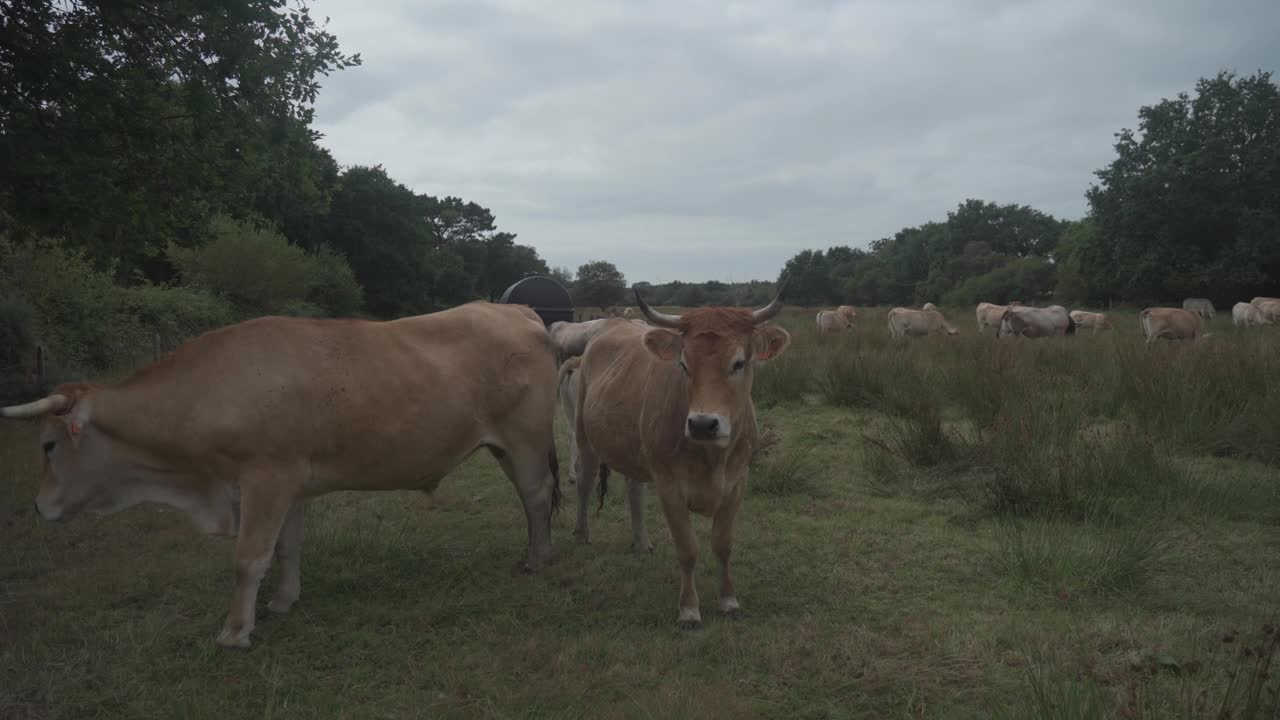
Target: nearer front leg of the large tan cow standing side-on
{"x":264,"y":507}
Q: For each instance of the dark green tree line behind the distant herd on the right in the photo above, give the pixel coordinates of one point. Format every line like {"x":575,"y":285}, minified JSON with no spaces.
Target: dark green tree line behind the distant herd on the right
{"x":1190,"y":207}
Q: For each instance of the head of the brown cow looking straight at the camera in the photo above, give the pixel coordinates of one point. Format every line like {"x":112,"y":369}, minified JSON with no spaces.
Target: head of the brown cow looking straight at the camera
{"x":716,"y":349}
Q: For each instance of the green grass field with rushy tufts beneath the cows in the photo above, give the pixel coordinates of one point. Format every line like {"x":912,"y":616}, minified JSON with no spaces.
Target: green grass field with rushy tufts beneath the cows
{"x":938,"y":528}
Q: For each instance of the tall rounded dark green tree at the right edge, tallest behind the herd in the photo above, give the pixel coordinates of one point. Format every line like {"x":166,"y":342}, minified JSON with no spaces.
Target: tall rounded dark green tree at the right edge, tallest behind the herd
{"x":1191,"y":206}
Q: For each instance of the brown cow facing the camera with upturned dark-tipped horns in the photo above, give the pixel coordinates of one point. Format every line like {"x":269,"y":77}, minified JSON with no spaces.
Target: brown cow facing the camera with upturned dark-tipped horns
{"x":673,"y":405}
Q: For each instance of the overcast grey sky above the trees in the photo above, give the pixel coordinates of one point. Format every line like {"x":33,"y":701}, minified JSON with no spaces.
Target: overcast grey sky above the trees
{"x":714,"y":140}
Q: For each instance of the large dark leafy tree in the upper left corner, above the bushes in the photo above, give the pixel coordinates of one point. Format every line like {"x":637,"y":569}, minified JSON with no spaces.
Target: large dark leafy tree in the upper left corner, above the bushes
{"x":126,"y":125}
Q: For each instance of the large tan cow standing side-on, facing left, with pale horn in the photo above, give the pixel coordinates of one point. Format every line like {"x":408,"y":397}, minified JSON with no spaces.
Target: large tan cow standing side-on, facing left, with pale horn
{"x":240,"y":426}
